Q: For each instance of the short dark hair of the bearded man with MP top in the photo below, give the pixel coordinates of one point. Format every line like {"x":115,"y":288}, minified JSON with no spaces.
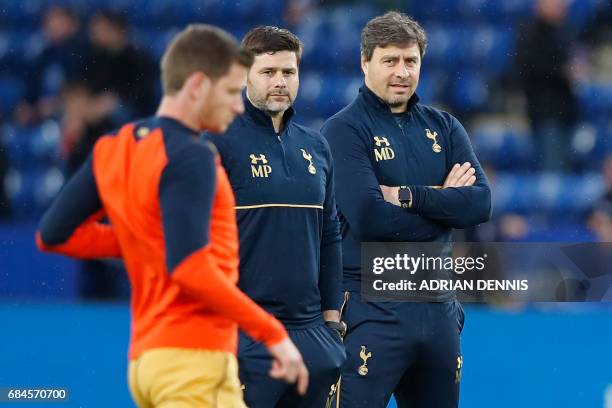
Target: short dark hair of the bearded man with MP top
{"x":270,"y":39}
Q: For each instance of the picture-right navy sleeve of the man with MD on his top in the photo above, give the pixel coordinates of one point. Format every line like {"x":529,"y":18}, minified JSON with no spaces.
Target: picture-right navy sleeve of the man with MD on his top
{"x":456,"y":207}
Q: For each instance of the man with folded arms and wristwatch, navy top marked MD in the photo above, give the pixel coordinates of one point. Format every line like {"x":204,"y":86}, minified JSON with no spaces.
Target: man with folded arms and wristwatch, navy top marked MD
{"x":404,"y":172}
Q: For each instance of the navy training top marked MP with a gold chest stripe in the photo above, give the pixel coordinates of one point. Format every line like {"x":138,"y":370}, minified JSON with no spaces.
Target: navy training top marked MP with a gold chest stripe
{"x":290,"y":244}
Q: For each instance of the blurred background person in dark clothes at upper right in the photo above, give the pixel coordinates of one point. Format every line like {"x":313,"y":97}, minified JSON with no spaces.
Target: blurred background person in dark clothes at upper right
{"x":544,"y":73}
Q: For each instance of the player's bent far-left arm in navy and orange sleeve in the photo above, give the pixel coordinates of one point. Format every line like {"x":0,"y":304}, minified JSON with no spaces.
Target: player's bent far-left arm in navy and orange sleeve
{"x":71,"y":226}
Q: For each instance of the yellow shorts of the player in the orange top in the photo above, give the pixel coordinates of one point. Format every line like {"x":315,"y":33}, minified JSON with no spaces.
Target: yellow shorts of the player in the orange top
{"x":177,"y":377}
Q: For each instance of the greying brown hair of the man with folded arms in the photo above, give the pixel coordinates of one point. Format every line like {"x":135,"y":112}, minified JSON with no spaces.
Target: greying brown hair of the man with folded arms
{"x":392,"y":28}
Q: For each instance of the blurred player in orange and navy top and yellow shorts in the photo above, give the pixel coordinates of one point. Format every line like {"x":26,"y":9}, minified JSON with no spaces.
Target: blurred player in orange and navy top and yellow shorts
{"x":172,"y":221}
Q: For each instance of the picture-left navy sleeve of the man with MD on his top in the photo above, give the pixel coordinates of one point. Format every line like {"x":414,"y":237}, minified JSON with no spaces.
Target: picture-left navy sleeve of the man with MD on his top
{"x":359,"y":197}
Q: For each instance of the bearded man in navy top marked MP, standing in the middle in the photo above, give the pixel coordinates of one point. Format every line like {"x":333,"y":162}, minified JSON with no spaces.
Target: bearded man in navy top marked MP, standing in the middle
{"x":290,"y":260}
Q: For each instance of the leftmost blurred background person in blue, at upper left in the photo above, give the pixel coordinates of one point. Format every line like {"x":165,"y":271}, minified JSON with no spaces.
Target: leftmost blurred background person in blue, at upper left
{"x":60,"y":59}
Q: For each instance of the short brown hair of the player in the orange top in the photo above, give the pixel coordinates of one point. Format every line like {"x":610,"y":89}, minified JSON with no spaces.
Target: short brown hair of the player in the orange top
{"x":200,"y":48}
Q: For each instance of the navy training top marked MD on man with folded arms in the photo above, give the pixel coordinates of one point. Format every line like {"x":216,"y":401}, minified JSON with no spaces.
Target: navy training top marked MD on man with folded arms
{"x":371,"y":147}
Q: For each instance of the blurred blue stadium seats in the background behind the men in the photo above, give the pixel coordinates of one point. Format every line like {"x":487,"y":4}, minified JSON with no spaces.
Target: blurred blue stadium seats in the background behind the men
{"x":471,"y":46}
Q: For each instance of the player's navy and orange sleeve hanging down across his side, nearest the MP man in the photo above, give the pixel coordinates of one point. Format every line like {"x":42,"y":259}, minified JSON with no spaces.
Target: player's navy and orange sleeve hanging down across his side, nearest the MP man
{"x":186,"y":192}
